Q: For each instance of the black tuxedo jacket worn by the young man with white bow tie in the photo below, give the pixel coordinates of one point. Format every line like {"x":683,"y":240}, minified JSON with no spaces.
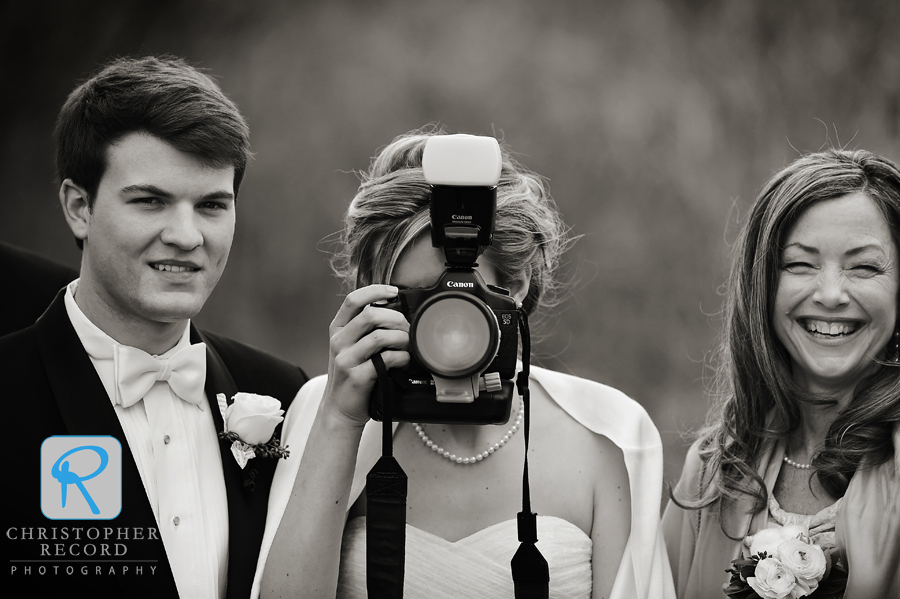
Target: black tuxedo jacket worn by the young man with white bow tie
{"x":50,"y":387}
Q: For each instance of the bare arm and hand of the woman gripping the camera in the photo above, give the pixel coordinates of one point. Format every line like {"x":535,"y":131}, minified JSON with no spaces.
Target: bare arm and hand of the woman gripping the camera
{"x":305,"y":556}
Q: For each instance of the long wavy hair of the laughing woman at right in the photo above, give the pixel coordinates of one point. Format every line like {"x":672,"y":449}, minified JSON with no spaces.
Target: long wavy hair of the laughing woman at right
{"x":754,"y":393}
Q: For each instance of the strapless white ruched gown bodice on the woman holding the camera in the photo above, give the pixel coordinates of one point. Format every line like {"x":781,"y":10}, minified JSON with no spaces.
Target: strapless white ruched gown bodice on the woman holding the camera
{"x":476,"y":566}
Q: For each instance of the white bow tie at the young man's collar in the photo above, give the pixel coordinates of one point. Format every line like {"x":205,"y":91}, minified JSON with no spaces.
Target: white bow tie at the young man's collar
{"x":137,"y":371}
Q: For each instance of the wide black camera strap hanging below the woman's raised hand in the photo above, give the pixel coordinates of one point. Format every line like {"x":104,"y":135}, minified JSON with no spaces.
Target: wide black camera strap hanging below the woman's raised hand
{"x":386,"y":486}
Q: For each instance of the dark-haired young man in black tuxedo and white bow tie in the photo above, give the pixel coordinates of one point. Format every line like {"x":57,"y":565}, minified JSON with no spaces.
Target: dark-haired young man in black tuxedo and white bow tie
{"x":150,"y":158}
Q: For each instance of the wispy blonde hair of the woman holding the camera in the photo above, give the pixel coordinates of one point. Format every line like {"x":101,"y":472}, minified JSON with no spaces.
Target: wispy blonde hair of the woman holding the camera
{"x":391,"y":210}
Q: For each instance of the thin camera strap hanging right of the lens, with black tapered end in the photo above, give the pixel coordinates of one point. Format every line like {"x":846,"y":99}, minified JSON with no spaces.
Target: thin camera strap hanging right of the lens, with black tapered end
{"x":530,"y":572}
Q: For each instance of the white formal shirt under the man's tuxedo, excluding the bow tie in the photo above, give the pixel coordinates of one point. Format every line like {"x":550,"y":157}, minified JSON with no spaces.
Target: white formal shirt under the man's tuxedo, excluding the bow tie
{"x":176,"y":448}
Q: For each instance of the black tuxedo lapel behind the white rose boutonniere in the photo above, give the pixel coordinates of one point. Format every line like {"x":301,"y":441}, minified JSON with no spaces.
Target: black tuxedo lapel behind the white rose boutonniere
{"x":246,"y":505}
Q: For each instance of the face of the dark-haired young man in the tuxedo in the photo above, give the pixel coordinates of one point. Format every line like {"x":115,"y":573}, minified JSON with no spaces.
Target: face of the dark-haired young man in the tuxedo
{"x":159,"y":233}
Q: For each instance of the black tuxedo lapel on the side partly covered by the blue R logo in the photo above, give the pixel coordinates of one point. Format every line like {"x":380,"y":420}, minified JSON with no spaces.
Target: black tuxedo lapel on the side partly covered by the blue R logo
{"x":86,"y":409}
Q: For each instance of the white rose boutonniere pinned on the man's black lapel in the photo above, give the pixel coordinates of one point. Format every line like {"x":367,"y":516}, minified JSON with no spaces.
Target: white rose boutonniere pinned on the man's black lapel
{"x":250,"y":422}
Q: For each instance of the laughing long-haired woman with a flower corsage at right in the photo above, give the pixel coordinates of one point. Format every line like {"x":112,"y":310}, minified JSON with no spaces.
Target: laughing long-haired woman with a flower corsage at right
{"x":805,"y":436}
